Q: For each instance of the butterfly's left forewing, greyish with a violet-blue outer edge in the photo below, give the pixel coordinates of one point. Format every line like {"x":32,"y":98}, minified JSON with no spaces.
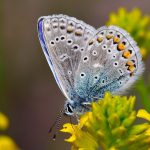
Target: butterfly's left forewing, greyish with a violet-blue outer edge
{"x":63,"y":40}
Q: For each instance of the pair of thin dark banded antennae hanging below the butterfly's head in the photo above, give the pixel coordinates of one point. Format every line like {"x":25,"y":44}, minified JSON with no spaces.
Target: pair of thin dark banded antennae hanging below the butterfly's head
{"x":56,"y":124}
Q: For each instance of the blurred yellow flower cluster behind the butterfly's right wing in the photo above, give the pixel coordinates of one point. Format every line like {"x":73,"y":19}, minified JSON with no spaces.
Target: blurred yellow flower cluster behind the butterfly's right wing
{"x":136,"y":24}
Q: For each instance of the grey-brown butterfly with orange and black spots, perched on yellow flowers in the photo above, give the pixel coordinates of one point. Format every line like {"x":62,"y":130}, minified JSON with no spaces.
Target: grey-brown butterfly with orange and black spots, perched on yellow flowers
{"x":86,"y":62}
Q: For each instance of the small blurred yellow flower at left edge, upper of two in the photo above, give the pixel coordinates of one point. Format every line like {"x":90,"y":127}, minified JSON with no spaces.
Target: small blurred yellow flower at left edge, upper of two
{"x":4,"y":122}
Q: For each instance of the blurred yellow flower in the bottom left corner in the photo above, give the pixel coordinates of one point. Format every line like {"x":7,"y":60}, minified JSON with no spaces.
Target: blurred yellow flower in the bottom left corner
{"x":6,"y":143}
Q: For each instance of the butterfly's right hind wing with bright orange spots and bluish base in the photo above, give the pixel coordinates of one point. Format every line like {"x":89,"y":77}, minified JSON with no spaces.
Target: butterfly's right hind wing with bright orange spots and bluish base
{"x":112,"y":63}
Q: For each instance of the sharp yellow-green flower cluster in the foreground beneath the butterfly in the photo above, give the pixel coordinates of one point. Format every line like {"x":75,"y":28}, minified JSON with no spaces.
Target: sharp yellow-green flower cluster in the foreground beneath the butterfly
{"x":111,"y":126}
